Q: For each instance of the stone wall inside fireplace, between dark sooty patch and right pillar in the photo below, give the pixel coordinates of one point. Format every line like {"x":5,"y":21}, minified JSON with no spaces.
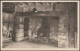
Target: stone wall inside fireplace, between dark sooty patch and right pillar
{"x":54,"y":28}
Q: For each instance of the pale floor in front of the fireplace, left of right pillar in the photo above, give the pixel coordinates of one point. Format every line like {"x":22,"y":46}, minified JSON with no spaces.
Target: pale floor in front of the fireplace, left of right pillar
{"x":26,"y":43}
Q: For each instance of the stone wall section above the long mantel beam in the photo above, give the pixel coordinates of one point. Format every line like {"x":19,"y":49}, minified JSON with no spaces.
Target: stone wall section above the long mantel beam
{"x":40,"y":6}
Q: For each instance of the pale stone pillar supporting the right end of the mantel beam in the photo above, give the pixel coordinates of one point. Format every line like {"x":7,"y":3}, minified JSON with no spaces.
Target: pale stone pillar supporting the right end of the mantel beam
{"x":63,"y":31}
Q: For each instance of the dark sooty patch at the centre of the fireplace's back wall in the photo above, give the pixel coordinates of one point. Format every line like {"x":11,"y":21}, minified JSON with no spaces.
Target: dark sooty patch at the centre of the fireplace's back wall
{"x":44,"y":29}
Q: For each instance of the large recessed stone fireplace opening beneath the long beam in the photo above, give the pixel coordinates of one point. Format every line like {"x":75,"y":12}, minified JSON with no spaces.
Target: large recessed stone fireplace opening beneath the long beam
{"x":45,"y":28}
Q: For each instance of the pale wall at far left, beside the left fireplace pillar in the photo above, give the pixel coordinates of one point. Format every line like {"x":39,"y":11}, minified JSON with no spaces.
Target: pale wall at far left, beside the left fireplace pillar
{"x":7,"y":22}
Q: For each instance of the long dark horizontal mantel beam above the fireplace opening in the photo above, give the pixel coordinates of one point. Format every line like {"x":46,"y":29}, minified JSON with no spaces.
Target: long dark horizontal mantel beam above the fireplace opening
{"x":41,"y":13}
